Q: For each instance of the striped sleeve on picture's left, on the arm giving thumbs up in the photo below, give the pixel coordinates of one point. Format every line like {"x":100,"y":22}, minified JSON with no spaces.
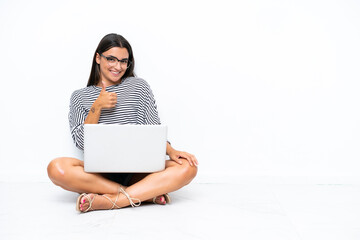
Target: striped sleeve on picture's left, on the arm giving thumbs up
{"x":77,"y":116}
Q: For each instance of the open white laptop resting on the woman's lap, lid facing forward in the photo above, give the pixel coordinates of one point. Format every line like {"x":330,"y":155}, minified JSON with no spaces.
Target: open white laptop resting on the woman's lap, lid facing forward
{"x":124,"y":148}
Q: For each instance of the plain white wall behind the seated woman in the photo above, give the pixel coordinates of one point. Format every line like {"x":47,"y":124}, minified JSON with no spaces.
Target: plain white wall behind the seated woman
{"x":253,"y":88}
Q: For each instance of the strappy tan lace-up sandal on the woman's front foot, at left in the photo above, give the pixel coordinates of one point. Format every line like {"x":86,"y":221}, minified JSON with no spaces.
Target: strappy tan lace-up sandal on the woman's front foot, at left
{"x":78,"y":201}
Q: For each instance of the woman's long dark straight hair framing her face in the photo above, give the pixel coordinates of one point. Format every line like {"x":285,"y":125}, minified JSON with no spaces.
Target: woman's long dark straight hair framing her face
{"x":109,"y":41}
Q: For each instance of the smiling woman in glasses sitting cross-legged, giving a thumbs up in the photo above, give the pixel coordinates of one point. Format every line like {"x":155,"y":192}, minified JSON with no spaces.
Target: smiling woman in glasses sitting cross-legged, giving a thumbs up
{"x":115,"y":96}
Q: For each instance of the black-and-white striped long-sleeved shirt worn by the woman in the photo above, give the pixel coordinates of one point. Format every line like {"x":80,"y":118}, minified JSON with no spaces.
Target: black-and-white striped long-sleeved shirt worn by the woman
{"x":135,"y":105}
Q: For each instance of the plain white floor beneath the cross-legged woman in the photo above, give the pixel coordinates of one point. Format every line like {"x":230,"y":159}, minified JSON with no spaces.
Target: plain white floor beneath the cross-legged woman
{"x":198,"y":211}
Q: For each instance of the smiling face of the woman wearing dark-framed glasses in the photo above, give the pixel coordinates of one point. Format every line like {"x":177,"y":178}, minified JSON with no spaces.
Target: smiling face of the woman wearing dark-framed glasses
{"x":111,"y":70}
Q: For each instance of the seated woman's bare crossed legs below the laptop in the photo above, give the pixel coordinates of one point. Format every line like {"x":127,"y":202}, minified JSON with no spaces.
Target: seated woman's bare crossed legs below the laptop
{"x":69,"y":174}
